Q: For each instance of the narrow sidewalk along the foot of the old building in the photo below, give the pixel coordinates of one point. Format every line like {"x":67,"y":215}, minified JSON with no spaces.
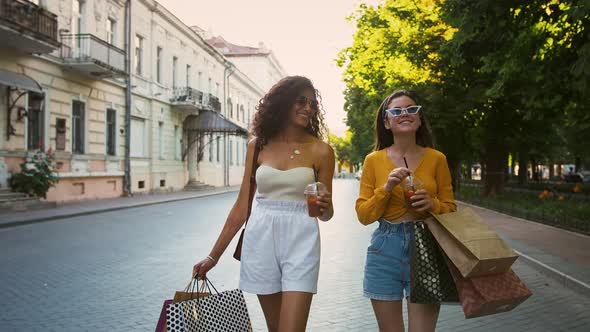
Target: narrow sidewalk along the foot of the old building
{"x":73,"y":209}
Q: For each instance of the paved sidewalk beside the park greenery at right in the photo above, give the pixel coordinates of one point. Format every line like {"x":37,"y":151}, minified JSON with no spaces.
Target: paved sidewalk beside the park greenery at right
{"x":557,"y":253}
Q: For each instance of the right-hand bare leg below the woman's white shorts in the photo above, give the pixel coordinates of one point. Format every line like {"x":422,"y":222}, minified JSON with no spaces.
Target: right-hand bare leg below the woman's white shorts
{"x":294,"y":311}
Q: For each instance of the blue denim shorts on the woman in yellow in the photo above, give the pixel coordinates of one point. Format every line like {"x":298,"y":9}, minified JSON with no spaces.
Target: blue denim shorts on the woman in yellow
{"x":387,"y":268}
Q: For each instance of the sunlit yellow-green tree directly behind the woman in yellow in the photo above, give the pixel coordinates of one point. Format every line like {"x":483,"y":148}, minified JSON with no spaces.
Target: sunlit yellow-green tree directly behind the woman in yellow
{"x":395,"y":46}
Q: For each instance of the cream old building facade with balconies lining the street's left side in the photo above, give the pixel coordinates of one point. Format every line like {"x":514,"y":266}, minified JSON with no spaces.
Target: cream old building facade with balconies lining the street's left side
{"x":70,"y":83}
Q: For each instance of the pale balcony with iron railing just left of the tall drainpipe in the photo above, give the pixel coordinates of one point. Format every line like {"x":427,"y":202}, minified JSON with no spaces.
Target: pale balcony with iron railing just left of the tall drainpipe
{"x":92,"y":56}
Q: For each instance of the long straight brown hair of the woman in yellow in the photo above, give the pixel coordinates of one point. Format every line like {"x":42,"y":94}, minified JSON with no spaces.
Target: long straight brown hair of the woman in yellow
{"x":384,"y":137}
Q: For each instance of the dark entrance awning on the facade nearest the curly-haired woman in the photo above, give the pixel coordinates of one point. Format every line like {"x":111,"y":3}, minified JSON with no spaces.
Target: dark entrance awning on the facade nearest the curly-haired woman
{"x":213,"y":122}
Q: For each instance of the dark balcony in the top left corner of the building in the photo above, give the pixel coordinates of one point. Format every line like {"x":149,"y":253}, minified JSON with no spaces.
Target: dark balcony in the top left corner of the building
{"x":27,"y":27}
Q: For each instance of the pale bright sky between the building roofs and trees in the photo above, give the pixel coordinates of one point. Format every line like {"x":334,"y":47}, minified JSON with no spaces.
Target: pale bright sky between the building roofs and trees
{"x":305,"y":35}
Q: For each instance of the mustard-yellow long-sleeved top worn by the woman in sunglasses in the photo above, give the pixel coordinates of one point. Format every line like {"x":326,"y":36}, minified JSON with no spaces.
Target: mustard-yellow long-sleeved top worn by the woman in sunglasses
{"x":374,"y":202}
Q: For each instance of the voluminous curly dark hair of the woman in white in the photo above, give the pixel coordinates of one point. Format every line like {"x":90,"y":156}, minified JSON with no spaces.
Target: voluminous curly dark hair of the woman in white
{"x":273,"y":109}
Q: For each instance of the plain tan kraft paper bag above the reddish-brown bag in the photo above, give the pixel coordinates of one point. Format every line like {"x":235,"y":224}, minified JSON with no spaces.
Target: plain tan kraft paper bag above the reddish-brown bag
{"x":473,"y":247}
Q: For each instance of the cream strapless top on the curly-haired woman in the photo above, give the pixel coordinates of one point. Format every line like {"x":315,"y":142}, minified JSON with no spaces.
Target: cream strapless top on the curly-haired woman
{"x":284,"y":185}
